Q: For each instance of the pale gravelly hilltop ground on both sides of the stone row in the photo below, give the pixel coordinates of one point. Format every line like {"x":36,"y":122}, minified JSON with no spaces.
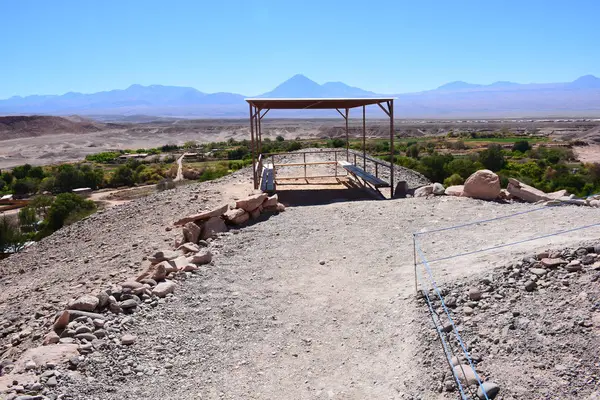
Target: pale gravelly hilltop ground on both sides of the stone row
{"x":316,"y":302}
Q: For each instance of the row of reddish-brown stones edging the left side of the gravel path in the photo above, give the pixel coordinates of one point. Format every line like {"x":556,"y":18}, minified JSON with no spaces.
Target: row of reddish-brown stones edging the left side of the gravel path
{"x":100,"y":321}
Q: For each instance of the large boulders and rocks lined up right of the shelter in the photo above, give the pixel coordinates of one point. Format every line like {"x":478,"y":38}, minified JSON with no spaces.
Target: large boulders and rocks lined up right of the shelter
{"x":485,"y":185}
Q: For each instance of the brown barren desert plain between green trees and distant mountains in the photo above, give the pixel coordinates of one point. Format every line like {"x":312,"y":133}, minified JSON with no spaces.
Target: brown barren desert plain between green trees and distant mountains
{"x":53,"y":147}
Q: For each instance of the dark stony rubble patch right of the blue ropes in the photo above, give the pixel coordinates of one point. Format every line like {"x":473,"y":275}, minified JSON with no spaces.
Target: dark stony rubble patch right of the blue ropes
{"x":526,"y":313}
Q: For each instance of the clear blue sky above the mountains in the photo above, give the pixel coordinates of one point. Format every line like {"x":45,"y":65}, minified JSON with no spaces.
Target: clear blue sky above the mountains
{"x":248,"y":47}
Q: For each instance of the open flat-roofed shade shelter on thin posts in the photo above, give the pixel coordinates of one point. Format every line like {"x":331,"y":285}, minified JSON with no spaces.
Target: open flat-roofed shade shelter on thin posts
{"x":259,"y":107}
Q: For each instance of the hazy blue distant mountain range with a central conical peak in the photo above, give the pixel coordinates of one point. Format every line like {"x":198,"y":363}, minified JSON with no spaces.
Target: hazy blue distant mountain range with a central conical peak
{"x":452,"y":100}
